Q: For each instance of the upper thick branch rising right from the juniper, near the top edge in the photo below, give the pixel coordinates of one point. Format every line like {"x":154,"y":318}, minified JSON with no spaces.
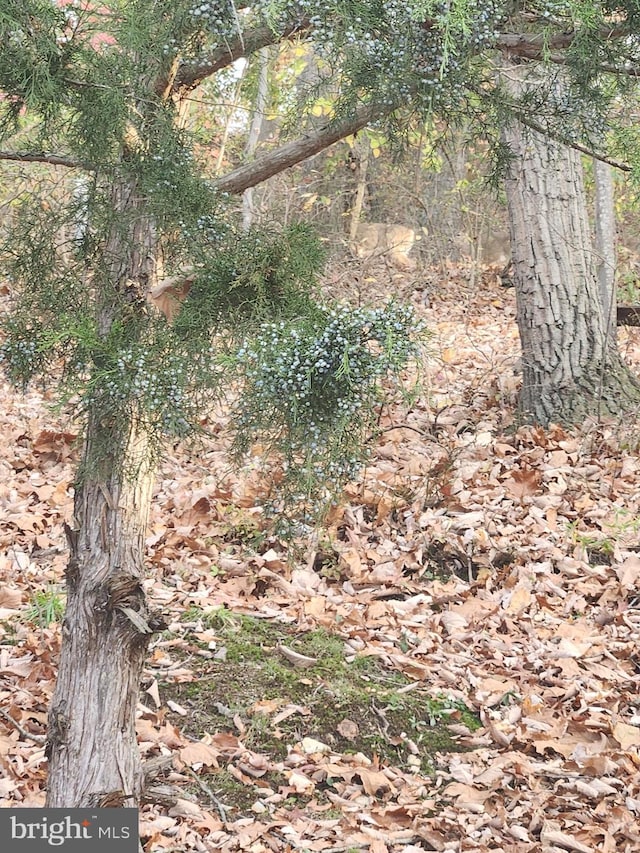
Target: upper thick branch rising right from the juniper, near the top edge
{"x":189,"y":76}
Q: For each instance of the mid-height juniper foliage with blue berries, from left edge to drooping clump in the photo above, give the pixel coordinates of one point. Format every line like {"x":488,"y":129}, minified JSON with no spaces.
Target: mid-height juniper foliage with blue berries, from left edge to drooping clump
{"x":308,"y":376}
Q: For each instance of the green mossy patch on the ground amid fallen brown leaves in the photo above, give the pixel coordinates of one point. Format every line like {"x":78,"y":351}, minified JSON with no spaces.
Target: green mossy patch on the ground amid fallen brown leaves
{"x":352,"y":707}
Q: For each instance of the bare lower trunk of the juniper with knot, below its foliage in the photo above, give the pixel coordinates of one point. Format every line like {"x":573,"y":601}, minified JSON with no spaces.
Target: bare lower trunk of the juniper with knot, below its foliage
{"x":92,"y":748}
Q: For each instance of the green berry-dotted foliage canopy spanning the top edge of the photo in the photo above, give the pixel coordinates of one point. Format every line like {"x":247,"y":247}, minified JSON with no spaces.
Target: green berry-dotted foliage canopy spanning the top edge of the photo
{"x":86,"y":79}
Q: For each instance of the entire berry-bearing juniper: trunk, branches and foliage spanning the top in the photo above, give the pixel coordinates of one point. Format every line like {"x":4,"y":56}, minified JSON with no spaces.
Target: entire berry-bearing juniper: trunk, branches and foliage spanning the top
{"x":102,"y":90}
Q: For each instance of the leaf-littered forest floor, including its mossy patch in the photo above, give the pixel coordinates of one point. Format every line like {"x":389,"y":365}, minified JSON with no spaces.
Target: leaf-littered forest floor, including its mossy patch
{"x":452,"y":664}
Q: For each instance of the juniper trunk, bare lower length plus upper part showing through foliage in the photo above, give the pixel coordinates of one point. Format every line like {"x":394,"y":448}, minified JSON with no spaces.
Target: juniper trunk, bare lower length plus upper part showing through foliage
{"x":92,"y":749}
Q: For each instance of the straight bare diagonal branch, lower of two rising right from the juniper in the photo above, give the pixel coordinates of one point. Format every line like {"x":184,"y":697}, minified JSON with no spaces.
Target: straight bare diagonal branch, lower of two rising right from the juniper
{"x":300,"y":149}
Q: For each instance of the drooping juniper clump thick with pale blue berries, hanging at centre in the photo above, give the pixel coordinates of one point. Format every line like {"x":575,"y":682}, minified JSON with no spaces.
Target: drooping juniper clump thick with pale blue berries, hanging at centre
{"x":312,"y":389}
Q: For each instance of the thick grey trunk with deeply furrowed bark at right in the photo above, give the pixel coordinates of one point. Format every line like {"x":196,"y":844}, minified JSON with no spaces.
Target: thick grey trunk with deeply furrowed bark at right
{"x":571,"y":367}
